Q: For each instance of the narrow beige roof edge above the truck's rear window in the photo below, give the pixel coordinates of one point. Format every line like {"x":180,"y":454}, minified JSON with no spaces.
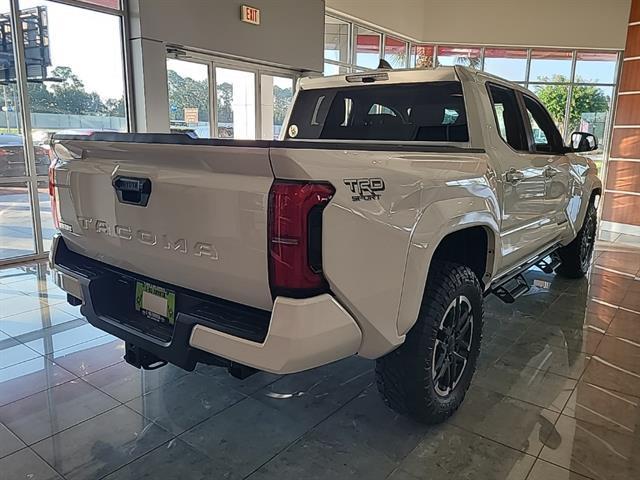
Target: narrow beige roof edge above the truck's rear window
{"x":438,"y":74}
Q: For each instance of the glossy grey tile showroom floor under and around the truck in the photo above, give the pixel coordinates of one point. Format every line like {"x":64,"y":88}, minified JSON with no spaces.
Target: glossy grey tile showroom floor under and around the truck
{"x":556,"y":396}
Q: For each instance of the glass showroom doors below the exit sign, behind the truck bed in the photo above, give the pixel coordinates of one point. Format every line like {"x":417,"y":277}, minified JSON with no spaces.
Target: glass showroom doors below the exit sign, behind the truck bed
{"x":247,"y":101}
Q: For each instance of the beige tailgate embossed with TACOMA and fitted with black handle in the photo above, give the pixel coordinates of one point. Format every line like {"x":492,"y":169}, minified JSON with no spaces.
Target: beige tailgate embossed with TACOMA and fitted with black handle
{"x":204,"y":225}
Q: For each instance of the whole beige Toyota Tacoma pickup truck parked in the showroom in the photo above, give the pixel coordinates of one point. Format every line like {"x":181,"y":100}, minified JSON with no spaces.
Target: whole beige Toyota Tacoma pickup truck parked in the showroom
{"x":393,"y":203}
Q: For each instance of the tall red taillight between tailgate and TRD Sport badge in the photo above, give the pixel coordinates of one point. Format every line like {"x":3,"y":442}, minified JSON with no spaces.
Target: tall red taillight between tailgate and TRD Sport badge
{"x":295,"y":238}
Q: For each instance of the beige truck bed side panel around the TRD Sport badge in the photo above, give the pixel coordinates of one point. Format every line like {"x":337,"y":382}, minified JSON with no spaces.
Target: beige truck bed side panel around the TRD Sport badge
{"x":366,"y":243}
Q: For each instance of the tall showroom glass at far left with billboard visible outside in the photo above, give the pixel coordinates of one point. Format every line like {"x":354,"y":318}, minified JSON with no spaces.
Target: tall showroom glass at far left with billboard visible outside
{"x":72,"y":77}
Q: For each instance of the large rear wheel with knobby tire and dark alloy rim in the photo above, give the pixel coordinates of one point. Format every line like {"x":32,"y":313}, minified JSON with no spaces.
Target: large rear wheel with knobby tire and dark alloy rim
{"x":428,"y":376}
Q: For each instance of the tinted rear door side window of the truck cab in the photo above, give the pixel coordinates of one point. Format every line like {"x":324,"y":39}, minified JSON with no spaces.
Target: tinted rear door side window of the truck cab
{"x":508,"y":118}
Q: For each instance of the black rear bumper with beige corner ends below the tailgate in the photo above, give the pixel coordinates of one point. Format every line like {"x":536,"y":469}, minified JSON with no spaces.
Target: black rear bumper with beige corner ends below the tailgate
{"x":298,"y":334}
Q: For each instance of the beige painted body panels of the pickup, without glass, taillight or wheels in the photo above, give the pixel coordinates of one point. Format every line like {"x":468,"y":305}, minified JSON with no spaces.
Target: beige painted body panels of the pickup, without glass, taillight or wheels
{"x":376,"y":253}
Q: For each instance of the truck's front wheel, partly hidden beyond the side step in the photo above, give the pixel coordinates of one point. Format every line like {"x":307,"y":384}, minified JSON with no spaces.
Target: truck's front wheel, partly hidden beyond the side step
{"x":576,"y":257}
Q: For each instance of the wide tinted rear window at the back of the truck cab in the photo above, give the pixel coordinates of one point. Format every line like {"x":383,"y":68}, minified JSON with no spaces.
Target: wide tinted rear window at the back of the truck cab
{"x":409,"y":112}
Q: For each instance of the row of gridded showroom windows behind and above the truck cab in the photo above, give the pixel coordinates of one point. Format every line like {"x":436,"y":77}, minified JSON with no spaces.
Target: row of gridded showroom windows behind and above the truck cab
{"x":576,"y":86}
